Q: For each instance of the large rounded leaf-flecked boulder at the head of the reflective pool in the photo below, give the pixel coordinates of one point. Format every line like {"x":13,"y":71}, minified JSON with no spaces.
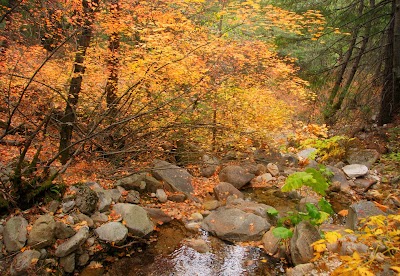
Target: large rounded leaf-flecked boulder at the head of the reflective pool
{"x":235,"y":225}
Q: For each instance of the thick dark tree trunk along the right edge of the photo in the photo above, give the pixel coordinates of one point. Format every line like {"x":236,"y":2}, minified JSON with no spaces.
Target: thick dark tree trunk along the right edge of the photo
{"x":390,"y":97}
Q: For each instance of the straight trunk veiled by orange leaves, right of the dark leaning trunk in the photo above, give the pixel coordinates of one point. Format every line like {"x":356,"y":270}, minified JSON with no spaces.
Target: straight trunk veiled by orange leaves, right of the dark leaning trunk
{"x":113,"y":60}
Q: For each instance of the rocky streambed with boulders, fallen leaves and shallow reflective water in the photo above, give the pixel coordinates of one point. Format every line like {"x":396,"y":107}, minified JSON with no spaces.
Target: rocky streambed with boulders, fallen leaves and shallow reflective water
{"x":166,"y":222}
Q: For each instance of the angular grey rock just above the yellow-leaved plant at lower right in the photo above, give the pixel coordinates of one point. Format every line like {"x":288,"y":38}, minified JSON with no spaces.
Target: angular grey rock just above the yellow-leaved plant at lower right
{"x":360,"y":210}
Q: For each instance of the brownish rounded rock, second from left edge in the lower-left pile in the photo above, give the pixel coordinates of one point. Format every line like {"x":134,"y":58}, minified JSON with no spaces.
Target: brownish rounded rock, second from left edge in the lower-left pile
{"x":43,"y":232}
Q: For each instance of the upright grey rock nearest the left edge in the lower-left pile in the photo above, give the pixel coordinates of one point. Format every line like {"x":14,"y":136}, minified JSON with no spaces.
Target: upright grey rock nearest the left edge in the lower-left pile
{"x":15,"y":233}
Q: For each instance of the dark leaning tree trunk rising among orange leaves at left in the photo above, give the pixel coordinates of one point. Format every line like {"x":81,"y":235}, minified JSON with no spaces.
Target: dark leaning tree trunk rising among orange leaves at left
{"x":69,"y":117}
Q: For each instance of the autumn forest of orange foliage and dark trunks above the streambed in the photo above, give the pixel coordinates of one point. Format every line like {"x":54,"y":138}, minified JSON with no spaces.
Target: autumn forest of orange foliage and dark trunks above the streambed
{"x":117,"y":83}
